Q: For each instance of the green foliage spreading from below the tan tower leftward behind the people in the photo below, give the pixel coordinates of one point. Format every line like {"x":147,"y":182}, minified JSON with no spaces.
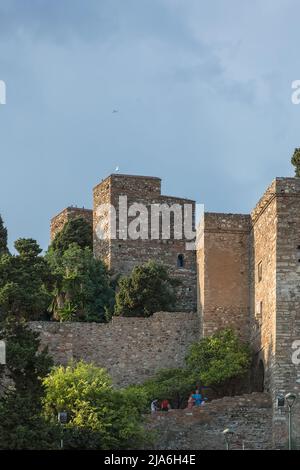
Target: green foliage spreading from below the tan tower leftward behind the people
{"x":219,"y":362}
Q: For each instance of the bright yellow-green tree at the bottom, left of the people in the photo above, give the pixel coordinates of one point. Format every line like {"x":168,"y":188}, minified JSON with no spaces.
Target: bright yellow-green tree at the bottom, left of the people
{"x":100,"y":417}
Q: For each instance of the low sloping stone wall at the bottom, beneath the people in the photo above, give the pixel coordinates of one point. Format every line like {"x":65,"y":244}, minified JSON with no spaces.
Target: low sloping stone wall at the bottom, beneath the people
{"x":248,"y":416}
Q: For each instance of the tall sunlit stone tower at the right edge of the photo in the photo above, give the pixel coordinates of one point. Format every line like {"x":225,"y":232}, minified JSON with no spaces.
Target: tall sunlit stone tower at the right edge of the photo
{"x":275,"y":293}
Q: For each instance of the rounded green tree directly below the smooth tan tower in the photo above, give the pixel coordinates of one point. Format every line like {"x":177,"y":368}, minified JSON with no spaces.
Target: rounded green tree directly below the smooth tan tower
{"x":219,"y":361}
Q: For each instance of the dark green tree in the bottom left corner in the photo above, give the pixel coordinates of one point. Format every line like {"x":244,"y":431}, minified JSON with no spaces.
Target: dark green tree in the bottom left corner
{"x":21,"y":423}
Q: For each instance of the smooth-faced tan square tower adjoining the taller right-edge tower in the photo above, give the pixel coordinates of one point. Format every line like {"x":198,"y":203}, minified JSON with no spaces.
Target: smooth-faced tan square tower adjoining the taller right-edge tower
{"x":223,"y":273}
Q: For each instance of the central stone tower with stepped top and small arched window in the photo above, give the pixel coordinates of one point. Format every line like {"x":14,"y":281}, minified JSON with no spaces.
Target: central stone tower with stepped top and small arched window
{"x":122,"y":253}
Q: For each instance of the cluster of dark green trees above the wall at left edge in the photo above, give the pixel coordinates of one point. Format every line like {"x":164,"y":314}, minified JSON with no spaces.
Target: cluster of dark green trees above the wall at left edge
{"x":68,"y":282}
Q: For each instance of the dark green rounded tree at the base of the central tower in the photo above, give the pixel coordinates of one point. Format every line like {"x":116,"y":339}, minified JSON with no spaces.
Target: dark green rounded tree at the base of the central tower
{"x":146,"y":290}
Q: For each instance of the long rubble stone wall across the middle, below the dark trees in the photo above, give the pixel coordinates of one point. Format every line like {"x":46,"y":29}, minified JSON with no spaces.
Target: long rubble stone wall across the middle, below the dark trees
{"x":131,"y":349}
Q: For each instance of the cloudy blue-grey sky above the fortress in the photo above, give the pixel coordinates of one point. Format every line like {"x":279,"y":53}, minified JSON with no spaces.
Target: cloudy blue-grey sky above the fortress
{"x":202,"y":89}
